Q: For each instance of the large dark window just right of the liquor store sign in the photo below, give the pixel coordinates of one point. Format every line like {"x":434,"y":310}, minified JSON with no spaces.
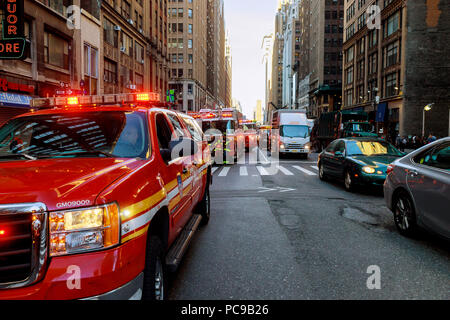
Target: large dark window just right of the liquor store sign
{"x":56,"y":50}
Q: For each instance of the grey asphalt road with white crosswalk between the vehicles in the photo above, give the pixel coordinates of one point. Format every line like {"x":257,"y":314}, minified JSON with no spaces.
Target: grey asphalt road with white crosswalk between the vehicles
{"x":288,"y":235}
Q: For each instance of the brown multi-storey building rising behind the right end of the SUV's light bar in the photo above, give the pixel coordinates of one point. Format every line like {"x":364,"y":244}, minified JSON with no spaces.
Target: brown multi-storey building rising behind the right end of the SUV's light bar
{"x":134,"y":51}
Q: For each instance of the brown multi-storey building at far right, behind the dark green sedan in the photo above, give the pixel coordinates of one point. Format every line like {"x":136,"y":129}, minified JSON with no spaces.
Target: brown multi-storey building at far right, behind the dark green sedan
{"x":387,"y":74}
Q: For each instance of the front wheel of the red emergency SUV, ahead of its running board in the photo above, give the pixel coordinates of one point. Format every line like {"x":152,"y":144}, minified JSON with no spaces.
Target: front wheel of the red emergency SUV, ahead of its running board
{"x":154,"y":275}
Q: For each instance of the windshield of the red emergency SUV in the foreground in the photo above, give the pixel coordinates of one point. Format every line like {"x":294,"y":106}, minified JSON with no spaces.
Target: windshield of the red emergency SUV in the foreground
{"x":77,"y":135}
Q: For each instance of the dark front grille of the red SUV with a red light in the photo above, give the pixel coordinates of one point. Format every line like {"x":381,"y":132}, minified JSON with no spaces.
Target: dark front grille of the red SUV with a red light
{"x":15,"y":247}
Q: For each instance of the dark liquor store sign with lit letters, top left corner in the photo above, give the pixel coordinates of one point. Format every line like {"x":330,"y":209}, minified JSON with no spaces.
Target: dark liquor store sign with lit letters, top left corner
{"x":12,"y":46}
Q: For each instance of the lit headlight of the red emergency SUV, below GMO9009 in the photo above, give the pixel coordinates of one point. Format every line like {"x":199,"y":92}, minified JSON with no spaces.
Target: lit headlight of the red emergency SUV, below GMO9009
{"x":83,"y":230}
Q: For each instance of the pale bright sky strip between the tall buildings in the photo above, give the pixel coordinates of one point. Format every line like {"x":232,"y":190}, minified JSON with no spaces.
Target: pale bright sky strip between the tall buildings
{"x":247,"y":22}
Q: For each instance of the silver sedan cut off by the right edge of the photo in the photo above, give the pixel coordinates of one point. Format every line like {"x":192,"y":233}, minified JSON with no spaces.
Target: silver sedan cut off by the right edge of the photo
{"x":417,"y":190}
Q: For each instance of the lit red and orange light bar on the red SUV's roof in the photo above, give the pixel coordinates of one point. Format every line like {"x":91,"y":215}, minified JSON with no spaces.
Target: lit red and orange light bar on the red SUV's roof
{"x":107,"y":99}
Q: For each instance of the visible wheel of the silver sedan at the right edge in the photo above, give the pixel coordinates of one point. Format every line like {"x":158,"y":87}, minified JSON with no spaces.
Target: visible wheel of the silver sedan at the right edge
{"x":405,"y":216}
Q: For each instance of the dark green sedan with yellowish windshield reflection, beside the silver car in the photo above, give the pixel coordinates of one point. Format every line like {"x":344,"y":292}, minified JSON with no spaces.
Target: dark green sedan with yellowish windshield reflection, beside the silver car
{"x":357,"y":161}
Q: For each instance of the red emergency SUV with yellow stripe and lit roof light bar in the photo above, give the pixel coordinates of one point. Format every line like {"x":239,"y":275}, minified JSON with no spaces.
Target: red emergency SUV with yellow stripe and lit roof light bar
{"x":99,"y":196}
